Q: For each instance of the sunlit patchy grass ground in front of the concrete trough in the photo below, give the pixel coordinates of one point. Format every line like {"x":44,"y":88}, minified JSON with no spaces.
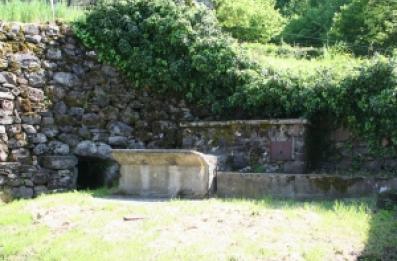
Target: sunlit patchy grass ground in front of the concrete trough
{"x":78,"y":226}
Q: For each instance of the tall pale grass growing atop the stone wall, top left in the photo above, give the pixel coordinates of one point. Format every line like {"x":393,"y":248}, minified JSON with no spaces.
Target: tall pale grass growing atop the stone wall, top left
{"x":37,"y":11}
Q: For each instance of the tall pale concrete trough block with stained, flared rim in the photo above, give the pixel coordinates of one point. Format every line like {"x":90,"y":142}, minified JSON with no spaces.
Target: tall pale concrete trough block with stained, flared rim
{"x":166,"y":173}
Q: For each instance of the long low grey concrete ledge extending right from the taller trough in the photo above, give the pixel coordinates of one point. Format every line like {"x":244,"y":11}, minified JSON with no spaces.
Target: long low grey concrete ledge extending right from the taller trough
{"x":231,"y":184}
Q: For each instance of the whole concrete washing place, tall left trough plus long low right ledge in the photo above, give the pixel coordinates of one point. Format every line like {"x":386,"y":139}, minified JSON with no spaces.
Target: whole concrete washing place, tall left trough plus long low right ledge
{"x":186,"y":173}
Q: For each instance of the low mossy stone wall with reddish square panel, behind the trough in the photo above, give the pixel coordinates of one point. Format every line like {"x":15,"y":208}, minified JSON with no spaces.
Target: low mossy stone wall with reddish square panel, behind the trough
{"x":251,"y":146}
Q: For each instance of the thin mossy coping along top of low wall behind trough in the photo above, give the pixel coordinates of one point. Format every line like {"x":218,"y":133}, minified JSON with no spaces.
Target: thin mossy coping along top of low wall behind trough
{"x":206,"y":124}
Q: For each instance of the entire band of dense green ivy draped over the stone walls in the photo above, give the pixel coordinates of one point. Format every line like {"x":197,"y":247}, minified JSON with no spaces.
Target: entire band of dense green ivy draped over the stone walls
{"x":180,"y":49}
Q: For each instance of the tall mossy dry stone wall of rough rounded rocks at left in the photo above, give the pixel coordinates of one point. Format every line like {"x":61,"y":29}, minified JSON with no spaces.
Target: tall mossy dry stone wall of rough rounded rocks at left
{"x":58,"y":103}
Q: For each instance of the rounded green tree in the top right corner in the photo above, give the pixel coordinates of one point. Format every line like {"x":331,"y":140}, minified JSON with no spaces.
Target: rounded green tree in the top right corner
{"x":367,"y":23}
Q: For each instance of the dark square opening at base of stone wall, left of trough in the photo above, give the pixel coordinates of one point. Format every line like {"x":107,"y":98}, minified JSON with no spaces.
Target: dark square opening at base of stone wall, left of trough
{"x":94,"y":172}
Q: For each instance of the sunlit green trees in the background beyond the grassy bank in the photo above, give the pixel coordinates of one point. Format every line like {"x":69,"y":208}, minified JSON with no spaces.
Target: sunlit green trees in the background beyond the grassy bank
{"x":364,"y":26}
